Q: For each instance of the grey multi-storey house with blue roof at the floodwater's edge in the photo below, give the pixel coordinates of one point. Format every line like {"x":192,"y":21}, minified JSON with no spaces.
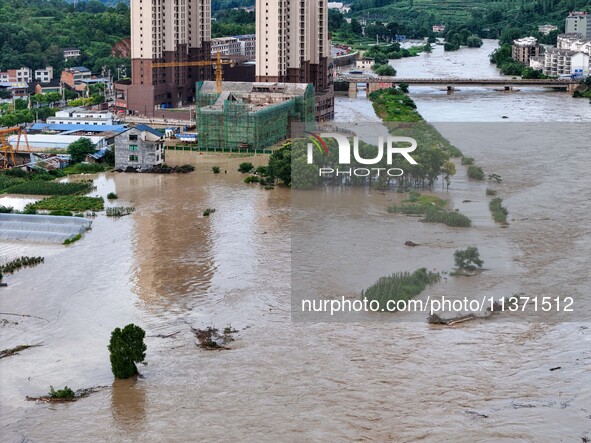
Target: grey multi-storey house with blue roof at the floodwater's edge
{"x":140,"y":147}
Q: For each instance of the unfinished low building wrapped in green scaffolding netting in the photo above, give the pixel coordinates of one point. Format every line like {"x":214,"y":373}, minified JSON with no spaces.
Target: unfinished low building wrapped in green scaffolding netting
{"x":251,"y":115}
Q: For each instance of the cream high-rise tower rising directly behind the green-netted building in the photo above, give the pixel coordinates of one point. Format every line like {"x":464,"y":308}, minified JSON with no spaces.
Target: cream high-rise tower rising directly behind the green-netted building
{"x":293,"y":46}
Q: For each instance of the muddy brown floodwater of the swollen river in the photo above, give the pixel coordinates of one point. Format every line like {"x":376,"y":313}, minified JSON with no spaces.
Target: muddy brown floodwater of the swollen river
{"x":166,"y":268}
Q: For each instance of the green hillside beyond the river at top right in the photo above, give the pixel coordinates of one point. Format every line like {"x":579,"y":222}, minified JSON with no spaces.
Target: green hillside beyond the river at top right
{"x":485,"y":17}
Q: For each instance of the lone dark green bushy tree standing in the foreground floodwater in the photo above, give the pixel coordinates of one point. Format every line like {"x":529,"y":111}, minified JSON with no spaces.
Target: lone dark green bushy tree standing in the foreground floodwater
{"x":127,"y":348}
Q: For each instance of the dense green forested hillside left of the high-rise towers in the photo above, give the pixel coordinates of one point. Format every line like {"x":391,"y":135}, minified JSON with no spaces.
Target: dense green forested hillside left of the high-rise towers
{"x":33,"y":33}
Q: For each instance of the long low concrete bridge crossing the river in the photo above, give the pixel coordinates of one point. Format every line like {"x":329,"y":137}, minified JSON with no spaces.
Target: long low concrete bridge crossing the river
{"x":506,"y":84}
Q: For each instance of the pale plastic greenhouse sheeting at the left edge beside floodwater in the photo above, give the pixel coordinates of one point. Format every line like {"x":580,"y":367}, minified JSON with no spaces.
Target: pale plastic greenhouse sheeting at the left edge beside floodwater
{"x":41,"y":228}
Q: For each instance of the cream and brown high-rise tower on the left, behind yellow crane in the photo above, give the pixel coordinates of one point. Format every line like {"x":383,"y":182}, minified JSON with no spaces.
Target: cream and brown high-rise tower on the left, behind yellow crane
{"x":166,"y":31}
